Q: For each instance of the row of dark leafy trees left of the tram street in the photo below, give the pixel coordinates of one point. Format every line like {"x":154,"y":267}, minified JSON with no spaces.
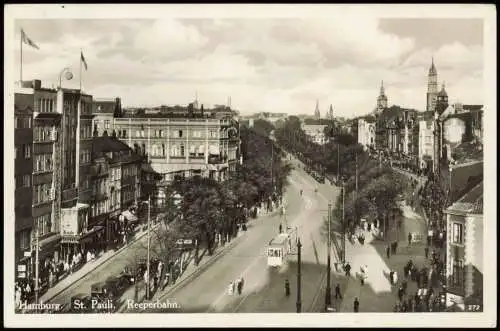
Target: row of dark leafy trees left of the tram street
{"x":207,"y":210}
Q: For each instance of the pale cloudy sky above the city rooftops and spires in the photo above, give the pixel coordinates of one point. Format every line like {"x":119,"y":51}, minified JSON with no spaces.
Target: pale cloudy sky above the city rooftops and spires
{"x":274,"y":65}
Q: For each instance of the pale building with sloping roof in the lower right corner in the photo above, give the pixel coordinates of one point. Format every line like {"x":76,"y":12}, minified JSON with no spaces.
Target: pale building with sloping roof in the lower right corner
{"x":464,"y":249}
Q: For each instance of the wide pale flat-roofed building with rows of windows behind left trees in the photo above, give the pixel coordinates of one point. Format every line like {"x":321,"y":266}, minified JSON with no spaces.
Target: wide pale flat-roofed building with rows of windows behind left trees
{"x":180,"y":147}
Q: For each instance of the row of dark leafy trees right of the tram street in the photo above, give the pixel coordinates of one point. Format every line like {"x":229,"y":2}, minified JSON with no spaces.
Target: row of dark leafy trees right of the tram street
{"x":379,"y":188}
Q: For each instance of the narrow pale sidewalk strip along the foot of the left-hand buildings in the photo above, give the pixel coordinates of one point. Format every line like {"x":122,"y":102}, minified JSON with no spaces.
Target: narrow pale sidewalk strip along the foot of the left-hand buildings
{"x":88,"y":267}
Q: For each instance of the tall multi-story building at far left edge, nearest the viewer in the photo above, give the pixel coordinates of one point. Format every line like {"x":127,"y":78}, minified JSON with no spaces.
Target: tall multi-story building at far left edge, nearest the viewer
{"x":37,"y":221}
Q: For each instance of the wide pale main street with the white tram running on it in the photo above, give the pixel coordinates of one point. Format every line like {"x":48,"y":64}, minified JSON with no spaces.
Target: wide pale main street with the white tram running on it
{"x":264,"y":288}
